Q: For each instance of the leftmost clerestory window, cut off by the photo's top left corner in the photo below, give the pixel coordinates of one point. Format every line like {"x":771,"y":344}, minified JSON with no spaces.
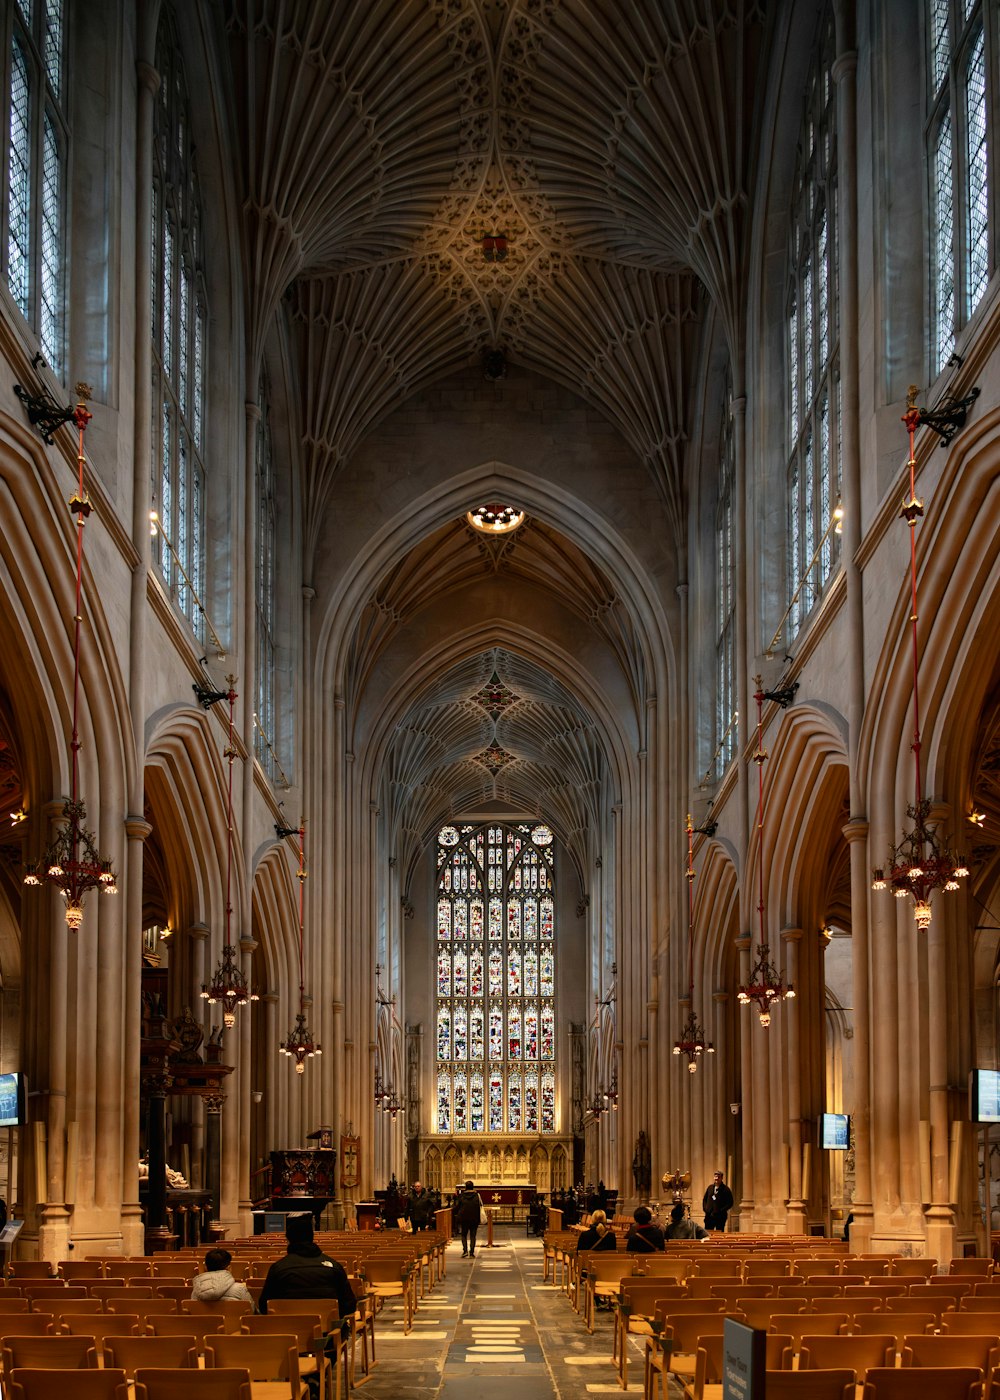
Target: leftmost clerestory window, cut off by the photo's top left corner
{"x":34,"y":215}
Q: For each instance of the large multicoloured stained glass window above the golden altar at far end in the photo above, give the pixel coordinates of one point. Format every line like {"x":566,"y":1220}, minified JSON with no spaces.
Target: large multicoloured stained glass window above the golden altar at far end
{"x":496,"y":981}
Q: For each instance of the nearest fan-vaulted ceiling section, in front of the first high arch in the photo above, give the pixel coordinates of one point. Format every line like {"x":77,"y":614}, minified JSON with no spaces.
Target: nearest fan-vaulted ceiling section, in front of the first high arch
{"x":383,"y":138}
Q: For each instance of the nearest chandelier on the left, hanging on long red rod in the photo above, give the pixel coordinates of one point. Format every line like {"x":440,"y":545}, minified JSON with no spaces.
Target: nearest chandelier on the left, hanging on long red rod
{"x":72,"y":862}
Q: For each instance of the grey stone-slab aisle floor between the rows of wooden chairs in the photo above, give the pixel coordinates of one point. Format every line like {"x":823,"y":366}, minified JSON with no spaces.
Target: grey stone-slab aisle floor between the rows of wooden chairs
{"x":489,"y":1322}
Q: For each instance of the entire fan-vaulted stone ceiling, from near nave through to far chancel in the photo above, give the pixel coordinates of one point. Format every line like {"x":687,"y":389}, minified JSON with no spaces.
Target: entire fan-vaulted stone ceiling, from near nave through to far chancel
{"x":611,"y":145}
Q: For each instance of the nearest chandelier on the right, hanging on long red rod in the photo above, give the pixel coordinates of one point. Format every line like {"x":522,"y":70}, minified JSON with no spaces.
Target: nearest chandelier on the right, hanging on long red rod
{"x":922,"y":862}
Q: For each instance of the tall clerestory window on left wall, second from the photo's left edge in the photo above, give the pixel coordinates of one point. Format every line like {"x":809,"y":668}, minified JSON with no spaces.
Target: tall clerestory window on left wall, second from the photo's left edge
{"x":180,"y":318}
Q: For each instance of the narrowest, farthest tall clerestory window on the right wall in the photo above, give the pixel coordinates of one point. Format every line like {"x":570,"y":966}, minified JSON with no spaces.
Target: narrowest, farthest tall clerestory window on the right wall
{"x":725,"y":736}
